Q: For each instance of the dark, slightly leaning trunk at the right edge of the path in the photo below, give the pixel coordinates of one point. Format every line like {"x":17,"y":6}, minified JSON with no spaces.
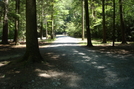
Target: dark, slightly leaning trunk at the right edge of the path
{"x":89,"y":43}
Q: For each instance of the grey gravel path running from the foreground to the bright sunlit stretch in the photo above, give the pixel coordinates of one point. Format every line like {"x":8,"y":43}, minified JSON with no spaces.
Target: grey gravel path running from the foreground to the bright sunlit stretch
{"x":77,"y":67}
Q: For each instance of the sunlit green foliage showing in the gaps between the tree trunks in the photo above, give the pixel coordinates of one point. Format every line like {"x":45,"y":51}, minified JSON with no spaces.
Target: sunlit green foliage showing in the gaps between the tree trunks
{"x":67,"y":16}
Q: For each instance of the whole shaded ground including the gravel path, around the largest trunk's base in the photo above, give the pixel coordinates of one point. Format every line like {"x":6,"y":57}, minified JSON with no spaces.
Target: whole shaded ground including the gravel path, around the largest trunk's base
{"x":69,"y":66}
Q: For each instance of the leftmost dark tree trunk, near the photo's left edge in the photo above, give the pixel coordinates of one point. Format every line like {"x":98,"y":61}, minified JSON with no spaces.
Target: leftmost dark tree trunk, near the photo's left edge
{"x":5,"y":24}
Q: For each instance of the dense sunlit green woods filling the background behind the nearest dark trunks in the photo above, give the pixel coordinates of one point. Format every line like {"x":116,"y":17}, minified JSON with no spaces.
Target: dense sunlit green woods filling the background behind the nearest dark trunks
{"x":108,"y":19}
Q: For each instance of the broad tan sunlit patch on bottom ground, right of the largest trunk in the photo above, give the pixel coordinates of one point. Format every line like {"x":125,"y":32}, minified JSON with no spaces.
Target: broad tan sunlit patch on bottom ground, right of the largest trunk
{"x":72,"y":79}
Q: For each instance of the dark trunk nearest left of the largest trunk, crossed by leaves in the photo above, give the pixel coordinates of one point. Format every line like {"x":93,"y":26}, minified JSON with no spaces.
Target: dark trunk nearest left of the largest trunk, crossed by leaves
{"x":17,"y":21}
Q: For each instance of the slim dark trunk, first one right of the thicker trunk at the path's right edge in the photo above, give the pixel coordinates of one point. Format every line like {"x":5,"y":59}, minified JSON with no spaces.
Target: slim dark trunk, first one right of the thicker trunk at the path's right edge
{"x":104,"y":26}
